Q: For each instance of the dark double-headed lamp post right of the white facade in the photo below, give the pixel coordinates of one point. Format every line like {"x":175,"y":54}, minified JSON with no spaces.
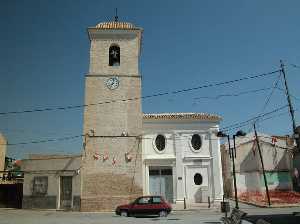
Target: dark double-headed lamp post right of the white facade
{"x":232,"y":154}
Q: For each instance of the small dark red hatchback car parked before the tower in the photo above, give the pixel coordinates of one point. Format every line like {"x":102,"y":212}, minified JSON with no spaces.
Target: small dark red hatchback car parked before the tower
{"x":146,"y":205}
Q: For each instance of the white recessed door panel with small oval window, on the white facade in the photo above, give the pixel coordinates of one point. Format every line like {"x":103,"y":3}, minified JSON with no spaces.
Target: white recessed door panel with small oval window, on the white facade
{"x":197,"y":184}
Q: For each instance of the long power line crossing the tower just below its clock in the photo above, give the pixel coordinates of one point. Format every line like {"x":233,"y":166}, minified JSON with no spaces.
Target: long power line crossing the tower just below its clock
{"x":143,"y":97}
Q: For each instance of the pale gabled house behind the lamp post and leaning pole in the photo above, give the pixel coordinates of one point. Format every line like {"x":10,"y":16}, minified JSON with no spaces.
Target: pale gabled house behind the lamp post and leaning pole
{"x":277,"y":158}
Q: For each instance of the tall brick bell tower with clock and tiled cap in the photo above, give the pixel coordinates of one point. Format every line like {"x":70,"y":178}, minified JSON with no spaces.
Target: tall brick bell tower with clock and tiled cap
{"x":111,"y":170}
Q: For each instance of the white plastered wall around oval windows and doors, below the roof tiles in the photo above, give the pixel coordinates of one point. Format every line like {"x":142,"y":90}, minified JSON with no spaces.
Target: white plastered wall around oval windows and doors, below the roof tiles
{"x":180,"y":154}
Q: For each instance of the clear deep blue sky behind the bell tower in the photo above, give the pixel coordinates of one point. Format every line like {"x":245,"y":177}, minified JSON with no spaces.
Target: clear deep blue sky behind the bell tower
{"x":44,"y":57}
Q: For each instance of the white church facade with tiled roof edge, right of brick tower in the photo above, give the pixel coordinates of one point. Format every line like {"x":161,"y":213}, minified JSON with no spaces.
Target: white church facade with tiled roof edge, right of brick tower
{"x":171,"y":172}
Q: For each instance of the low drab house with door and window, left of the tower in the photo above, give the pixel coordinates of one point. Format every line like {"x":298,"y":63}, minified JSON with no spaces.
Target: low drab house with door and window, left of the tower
{"x":51,"y":182}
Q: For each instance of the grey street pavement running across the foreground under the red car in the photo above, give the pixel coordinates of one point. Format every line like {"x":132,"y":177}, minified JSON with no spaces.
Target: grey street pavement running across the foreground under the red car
{"x":193,"y":215}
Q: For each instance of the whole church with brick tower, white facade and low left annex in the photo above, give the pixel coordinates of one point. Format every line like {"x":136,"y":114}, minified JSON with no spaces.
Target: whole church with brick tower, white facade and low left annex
{"x":127,"y":153}
